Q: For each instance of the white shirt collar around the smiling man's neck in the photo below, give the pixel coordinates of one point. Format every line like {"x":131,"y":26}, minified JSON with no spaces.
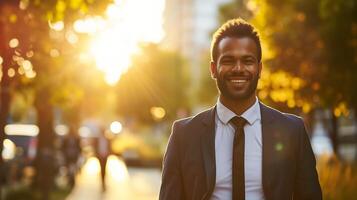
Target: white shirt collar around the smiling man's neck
{"x":251,"y":114}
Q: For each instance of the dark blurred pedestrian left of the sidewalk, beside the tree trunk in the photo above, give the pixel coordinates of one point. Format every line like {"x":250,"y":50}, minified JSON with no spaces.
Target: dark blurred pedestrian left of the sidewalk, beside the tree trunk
{"x":71,"y":150}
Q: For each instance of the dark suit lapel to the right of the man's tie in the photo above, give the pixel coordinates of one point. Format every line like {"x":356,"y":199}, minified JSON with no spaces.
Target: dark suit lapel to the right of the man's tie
{"x":268,"y":128}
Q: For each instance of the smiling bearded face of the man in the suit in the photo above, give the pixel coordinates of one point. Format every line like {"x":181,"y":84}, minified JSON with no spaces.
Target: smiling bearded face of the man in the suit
{"x":237,"y":68}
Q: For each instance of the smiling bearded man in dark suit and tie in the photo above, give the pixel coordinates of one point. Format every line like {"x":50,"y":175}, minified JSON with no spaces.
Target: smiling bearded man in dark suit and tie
{"x":240,"y":149}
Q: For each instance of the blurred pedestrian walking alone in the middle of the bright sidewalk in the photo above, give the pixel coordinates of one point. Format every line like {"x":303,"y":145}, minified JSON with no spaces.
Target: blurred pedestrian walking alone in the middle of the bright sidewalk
{"x":102,"y":152}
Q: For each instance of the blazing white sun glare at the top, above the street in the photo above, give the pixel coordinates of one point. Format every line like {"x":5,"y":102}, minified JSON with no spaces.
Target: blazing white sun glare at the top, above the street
{"x":127,"y":24}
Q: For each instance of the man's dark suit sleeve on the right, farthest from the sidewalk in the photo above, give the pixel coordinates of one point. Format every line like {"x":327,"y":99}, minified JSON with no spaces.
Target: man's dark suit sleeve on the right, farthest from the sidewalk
{"x":307,"y":186}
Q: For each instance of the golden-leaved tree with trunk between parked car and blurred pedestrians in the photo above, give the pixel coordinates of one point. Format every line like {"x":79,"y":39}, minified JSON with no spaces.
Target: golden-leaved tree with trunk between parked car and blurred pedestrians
{"x":50,"y":67}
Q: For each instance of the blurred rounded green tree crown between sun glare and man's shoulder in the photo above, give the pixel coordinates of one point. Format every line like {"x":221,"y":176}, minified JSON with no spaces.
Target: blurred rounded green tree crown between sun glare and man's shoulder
{"x":155,"y":79}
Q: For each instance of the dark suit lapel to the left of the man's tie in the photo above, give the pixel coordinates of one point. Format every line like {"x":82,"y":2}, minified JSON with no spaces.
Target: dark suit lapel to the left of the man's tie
{"x":208,"y":149}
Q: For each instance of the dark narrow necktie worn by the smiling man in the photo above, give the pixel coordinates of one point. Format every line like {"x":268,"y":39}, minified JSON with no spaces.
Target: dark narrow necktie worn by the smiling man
{"x":238,"y":184}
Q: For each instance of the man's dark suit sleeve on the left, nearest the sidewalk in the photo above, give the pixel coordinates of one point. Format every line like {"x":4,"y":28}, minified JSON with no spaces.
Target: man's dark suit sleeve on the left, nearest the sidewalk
{"x":171,"y":182}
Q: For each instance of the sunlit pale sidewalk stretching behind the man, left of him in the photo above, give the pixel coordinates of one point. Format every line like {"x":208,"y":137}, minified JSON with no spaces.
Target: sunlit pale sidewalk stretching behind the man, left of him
{"x":122,"y":183}
